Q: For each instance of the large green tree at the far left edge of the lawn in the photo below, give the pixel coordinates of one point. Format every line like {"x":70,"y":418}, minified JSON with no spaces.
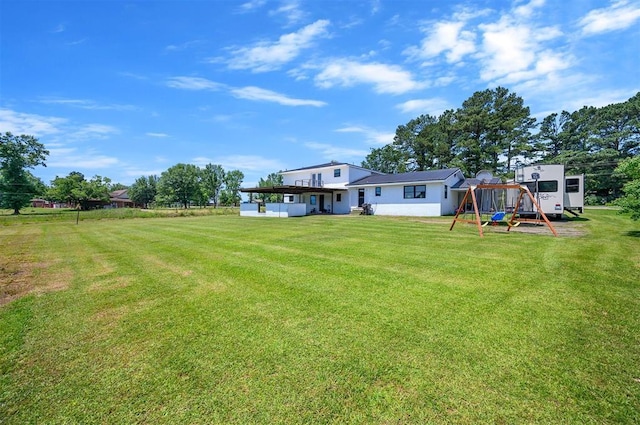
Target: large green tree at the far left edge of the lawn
{"x":17,"y":155}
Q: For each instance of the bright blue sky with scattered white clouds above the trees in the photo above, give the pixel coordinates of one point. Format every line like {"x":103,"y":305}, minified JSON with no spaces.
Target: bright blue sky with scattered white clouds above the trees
{"x":123,"y":89}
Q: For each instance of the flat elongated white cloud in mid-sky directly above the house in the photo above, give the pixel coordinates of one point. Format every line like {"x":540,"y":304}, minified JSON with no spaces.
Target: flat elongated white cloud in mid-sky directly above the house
{"x":384,"y":78}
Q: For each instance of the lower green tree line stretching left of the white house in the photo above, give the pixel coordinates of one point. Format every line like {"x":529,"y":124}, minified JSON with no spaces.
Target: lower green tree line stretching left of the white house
{"x":181,"y":184}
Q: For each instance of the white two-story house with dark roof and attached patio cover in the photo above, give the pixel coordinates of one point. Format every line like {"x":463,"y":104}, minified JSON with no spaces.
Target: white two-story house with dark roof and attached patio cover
{"x":340,"y":188}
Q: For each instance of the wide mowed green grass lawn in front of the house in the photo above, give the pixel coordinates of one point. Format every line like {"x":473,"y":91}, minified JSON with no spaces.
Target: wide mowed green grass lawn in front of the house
{"x":359,"y":319}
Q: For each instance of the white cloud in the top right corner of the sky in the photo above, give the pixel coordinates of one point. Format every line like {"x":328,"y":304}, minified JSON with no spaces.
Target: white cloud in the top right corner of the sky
{"x":620,"y":15}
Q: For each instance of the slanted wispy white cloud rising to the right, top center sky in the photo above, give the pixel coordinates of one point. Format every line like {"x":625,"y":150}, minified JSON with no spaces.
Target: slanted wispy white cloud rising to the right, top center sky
{"x":269,"y":56}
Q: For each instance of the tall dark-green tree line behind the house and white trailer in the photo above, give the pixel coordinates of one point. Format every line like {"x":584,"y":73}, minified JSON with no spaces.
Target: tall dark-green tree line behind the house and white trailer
{"x":494,"y":130}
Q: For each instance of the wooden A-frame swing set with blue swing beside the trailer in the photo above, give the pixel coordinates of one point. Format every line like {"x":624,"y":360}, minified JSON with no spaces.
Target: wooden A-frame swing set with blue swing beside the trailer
{"x":497,"y":216}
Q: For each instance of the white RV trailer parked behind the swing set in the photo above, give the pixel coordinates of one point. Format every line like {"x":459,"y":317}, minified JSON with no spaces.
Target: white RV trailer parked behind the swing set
{"x":554,"y":192}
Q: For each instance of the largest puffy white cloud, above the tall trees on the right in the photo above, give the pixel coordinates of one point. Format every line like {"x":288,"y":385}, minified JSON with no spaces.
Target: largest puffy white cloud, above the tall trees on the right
{"x":510,"y":48}
